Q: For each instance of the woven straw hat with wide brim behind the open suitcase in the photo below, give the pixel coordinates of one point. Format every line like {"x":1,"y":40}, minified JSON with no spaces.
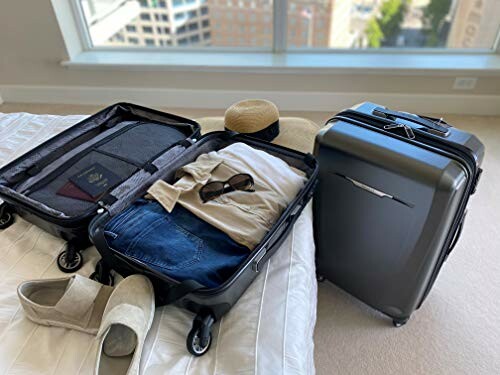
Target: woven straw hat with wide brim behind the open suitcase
{"x":294,"y":132}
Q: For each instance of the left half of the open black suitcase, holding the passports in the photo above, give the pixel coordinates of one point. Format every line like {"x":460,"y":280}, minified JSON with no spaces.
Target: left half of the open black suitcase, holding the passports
{"x":125,"y":138}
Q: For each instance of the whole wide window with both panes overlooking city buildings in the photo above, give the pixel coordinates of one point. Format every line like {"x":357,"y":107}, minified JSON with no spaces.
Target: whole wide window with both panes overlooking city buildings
{"x":303,"y":24}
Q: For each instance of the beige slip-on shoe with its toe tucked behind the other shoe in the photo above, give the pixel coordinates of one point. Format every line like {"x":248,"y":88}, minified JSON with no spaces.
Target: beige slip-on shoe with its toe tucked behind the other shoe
{"x":73,"y":302}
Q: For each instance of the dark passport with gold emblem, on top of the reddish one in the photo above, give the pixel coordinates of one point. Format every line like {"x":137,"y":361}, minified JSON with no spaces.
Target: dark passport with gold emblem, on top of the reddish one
{"x":95,"y":180}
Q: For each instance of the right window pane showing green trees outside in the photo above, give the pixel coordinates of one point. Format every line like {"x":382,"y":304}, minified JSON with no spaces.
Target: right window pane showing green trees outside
{"x":393,"y":23}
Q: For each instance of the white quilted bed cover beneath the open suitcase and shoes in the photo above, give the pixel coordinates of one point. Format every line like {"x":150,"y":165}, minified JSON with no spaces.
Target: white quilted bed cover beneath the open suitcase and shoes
{"x":269,"y":330}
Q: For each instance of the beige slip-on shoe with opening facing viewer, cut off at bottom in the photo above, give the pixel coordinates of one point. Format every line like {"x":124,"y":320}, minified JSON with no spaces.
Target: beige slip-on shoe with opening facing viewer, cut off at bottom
{"x":125,"y":323}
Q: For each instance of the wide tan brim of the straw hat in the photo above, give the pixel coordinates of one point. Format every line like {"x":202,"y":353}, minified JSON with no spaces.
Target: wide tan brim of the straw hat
{"x":295,"y":132}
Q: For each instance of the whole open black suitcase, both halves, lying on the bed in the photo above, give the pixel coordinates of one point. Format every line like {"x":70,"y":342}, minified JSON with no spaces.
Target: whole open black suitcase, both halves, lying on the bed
{"x":140,"y":146}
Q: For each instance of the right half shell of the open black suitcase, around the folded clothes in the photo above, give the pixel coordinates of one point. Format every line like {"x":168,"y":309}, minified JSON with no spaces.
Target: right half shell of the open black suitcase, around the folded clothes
{"x":209,"y":305}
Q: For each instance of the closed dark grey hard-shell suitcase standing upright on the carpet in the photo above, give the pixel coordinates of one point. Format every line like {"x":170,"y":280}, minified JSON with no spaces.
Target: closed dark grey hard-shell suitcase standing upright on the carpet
{"x":391,"y":202}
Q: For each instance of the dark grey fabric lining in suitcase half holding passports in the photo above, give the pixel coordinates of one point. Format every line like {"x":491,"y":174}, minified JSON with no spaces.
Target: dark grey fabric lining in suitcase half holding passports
{"x":124,"y":150}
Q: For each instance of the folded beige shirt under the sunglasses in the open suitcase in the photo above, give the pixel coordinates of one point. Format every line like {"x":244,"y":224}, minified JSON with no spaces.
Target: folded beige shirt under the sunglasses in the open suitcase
{"x":245,"y":216}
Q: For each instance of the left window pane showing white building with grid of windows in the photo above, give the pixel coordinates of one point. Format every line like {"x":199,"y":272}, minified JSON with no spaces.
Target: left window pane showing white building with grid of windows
{"x":162,"y":23}
